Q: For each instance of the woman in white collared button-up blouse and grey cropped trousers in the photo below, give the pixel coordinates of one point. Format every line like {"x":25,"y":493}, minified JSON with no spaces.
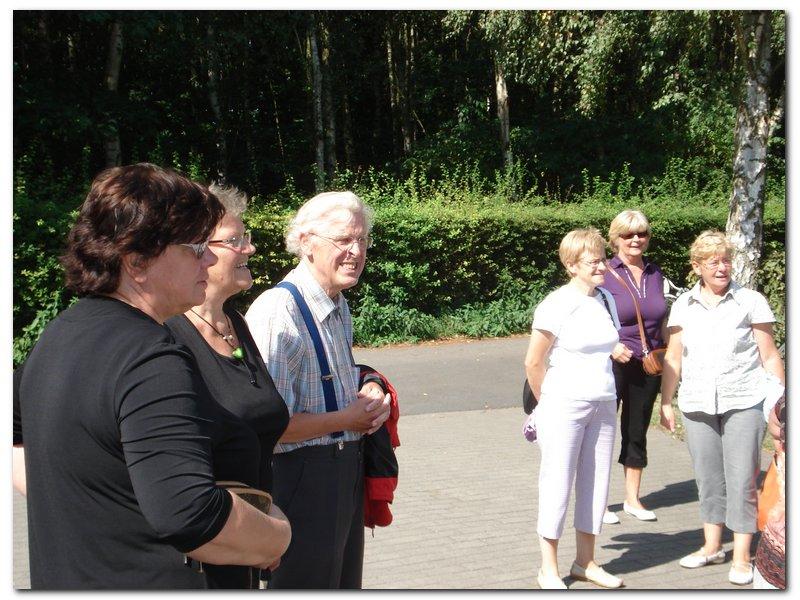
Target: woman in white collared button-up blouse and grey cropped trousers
{"x":722,"y":350}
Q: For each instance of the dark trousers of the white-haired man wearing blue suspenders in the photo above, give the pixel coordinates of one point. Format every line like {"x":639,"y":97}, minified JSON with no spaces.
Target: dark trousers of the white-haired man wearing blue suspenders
{"x":321,"y":490}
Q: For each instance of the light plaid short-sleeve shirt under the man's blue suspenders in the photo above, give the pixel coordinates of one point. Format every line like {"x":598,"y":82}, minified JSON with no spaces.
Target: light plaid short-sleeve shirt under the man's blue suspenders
{"x":281,"y":335}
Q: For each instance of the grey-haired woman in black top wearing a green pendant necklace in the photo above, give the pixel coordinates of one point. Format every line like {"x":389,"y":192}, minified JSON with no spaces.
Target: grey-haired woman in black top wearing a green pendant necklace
{"x":232,"y":366}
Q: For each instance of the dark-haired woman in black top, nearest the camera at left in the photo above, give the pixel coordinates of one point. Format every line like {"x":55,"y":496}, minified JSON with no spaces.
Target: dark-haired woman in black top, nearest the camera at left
{"x":119,"y":436}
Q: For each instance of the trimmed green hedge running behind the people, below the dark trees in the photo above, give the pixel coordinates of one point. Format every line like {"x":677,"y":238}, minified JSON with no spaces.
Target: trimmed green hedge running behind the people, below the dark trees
{"x":439,"y":268}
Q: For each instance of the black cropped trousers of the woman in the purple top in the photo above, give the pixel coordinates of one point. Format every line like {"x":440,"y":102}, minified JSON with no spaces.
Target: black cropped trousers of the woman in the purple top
{"x":636,"y":391}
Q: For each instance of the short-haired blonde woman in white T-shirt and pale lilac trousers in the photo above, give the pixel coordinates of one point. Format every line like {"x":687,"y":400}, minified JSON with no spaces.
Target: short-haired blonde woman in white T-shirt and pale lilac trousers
{"x":568,"y":365}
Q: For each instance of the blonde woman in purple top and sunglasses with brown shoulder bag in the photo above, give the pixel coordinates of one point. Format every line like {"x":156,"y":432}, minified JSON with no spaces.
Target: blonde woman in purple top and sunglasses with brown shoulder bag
{"x":629,"y":236}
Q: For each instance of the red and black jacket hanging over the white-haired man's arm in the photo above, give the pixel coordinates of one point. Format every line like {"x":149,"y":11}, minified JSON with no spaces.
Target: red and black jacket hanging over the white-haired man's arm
{"x":380,"y":462}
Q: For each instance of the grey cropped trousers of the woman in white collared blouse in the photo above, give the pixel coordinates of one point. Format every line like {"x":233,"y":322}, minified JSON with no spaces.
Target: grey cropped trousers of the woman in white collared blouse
{"x":726,"y":456}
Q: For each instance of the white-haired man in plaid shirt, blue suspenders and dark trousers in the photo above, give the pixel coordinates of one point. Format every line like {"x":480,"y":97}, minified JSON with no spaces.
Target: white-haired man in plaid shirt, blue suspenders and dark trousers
{"x":318,"y":464}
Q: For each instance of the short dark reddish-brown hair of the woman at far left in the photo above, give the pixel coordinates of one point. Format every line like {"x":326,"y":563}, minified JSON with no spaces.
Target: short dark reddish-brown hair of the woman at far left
{"x":136,"y":209}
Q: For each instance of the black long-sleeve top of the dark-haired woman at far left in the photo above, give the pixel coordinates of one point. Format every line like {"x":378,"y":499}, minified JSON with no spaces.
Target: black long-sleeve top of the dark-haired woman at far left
{"x":120,"y":435}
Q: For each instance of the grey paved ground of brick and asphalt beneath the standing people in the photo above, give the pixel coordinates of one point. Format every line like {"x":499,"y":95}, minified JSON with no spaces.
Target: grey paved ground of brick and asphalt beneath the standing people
{"x":465,"y":509}
